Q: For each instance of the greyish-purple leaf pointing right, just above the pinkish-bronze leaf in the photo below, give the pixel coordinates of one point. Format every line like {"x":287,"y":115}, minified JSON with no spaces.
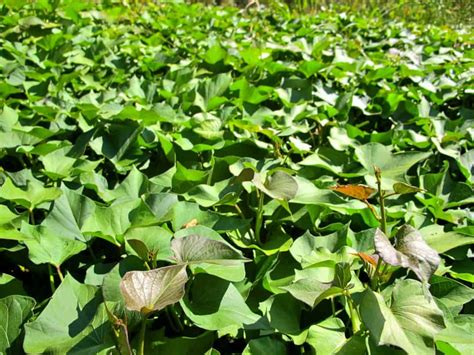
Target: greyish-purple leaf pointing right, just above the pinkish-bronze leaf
{"x":197,"y":249}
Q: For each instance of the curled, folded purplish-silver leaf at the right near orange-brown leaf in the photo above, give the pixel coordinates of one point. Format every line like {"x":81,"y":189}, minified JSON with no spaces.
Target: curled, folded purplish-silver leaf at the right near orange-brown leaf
{"x":410,"y":251}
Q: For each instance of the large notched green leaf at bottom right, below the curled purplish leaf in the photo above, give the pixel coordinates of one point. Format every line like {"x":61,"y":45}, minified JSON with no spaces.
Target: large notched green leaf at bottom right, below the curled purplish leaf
{"x":411,"y":322}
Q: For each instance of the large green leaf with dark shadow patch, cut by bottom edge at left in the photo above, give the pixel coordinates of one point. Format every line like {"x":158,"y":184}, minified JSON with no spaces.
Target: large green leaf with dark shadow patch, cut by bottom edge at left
{"x":74,"y":321}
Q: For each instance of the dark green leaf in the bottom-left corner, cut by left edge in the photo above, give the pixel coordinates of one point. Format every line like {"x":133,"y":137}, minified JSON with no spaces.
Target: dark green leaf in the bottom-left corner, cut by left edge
{"x":14,"y":312}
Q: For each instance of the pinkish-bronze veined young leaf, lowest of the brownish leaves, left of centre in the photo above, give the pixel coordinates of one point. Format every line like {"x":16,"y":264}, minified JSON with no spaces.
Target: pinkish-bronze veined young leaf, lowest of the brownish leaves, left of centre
{"x":148,"y":291}
